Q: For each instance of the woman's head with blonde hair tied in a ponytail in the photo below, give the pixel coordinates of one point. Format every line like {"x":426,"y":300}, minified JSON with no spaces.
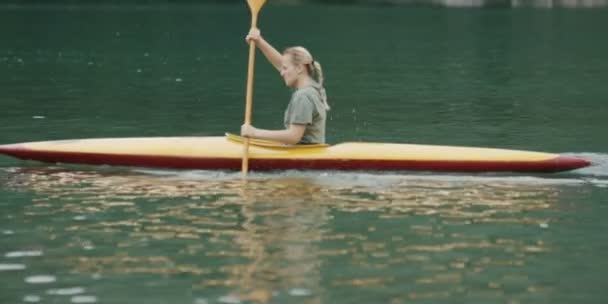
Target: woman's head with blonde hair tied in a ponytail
{"x":297,"y":63}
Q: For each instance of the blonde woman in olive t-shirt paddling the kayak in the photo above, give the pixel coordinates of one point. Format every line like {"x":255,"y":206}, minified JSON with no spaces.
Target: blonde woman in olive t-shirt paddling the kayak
{"x":306,"y":113}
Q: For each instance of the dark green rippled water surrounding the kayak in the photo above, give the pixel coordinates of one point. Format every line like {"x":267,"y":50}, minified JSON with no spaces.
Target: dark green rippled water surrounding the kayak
{"x":524,"y":79}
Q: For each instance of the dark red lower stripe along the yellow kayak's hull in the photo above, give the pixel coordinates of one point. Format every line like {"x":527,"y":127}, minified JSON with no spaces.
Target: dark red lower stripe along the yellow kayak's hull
{"x":561,"y":163}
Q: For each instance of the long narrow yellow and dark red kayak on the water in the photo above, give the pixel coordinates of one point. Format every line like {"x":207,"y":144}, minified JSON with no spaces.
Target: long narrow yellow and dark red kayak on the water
{"x":225,"y":153}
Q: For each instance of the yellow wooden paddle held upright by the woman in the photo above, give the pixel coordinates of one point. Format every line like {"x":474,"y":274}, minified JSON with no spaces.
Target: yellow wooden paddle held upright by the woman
{"x":254,"y":6}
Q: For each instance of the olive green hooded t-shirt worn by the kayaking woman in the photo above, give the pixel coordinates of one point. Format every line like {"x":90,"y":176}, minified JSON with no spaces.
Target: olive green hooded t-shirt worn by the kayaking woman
{"x":307,"y":108}
